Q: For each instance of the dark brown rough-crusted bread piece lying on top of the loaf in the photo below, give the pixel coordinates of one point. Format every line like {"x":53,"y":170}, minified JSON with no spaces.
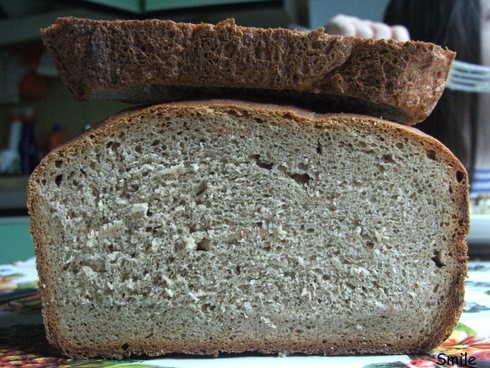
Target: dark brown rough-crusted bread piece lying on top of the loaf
{"x":140,"y":60}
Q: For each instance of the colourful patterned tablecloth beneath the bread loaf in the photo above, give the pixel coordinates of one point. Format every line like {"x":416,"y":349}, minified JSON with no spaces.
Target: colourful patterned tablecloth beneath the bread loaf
{"x":22,"y":341}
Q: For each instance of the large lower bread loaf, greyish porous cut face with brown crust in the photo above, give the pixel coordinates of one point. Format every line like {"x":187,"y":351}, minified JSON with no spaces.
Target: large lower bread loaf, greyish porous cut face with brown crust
{"x":222,"y":226}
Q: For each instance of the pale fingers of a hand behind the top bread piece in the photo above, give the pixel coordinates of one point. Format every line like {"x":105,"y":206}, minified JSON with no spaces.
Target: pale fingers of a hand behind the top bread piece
{"x":345,"y":25}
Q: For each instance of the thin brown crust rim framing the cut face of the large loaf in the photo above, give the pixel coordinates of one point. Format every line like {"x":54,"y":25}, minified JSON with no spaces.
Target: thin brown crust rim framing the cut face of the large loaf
{"x":442,"y":327}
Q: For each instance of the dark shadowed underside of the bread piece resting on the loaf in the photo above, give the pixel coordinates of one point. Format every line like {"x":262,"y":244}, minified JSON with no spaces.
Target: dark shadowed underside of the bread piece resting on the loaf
{"x":320,"y":103}
